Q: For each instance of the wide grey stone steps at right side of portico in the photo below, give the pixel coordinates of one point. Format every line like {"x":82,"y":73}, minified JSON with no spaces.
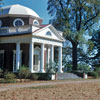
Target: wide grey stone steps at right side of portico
{"x":64,"y":76}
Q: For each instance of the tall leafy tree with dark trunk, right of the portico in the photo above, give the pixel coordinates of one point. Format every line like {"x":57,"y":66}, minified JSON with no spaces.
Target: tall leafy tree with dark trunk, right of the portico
{"x":75,"y":18}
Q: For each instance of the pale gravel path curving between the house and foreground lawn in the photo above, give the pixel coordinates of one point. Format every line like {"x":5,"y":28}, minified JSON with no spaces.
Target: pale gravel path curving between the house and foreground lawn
{"x":4,"y":87}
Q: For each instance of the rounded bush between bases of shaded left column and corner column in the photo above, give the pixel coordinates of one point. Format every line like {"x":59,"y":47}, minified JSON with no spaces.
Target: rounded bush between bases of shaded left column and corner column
{"x":23,"y":73}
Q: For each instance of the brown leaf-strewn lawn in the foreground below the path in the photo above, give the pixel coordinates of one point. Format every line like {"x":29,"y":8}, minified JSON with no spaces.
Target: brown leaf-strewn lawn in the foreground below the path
{"x":69,"y":91}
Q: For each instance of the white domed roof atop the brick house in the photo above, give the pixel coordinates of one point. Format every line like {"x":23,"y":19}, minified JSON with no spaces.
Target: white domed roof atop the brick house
{"x":18,"y":10}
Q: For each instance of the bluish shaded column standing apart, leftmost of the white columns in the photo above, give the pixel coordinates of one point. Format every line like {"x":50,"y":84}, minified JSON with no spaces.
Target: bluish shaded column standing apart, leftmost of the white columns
{"x":17,"y":56}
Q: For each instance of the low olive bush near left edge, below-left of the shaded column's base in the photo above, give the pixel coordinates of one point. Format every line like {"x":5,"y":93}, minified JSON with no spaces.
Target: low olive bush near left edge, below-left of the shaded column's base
{"x":9,"y":77}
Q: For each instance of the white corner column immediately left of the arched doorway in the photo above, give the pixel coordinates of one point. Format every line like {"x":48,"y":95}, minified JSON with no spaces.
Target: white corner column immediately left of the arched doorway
{"x":31,"y":57}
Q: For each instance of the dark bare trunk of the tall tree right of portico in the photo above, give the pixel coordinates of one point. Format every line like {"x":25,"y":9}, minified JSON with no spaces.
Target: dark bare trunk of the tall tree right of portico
{"x":74,"y":55}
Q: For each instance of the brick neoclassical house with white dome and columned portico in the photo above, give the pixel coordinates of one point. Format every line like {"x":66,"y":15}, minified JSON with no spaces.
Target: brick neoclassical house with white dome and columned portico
{"x":24,"y":40}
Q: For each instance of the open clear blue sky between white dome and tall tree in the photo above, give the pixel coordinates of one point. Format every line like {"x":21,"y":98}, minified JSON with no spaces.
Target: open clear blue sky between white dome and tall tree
{"x":39,"y":6}
